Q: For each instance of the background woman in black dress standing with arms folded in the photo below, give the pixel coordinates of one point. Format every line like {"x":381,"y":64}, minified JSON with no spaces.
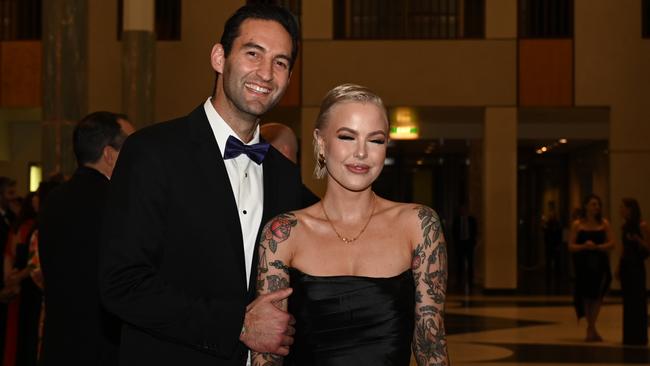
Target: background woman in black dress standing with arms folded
{"x":590,"y":240}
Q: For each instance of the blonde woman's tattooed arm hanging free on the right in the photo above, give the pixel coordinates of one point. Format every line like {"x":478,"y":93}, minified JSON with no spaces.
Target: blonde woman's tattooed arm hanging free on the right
{"x":430,"y":275}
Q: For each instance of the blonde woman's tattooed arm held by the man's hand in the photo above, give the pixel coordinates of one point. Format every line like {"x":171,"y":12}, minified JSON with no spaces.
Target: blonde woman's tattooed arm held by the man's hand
{"x":272,"y":272}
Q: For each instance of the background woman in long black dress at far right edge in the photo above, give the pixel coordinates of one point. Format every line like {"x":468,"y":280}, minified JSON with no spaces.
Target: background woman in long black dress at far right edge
{"x":631,"y":270}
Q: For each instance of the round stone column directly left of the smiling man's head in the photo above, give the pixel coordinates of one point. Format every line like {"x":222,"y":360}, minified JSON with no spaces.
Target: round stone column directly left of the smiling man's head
{"x":138,"y":61}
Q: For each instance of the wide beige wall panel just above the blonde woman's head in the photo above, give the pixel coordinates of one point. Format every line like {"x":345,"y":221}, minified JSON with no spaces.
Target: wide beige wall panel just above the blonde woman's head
{"x":416,"y":73}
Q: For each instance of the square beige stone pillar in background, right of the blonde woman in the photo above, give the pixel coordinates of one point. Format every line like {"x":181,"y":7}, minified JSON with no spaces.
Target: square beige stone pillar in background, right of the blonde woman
{"x":500,"y":198}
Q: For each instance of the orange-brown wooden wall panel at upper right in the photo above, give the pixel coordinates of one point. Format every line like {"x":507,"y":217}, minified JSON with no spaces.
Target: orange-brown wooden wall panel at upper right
{"x":545,"y":72}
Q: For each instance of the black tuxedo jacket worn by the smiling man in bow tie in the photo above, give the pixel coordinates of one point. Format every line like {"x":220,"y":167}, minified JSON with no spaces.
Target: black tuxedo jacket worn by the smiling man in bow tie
{"x":172,"y":265}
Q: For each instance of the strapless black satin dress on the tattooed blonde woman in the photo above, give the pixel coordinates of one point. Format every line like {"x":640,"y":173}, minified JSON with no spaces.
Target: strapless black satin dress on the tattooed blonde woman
{"x":351,"y":320}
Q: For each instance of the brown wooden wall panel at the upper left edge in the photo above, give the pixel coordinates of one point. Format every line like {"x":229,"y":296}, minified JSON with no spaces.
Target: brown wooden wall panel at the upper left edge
{"x":20,"y":74}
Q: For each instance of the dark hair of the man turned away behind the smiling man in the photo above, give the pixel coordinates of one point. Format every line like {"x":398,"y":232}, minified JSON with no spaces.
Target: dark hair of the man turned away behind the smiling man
{"x":94,"y":132}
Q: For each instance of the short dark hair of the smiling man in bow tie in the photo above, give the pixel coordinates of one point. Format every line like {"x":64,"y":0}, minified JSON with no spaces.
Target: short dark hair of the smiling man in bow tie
{"x":263,"y":12}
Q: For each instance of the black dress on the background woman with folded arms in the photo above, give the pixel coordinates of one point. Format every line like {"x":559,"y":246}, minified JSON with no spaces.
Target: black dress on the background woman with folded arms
{"x":592,"y":270}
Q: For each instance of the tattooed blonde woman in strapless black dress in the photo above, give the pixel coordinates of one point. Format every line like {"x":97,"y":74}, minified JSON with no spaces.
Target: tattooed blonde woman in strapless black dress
{"x":368,"y":275}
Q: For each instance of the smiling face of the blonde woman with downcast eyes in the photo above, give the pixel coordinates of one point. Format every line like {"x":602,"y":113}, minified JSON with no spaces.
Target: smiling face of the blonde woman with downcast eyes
{"x":353,"y":143}
